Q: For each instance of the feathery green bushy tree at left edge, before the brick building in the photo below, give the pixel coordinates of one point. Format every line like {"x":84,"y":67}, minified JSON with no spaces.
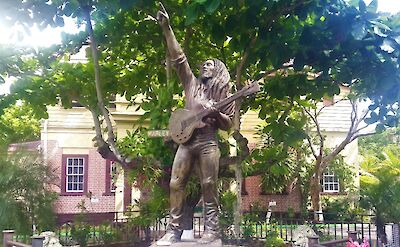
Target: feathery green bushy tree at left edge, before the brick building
{"x":26,"y":201}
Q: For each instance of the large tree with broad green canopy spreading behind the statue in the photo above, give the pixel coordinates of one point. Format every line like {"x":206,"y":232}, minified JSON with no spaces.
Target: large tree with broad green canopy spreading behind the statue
{"x":301,"y":49}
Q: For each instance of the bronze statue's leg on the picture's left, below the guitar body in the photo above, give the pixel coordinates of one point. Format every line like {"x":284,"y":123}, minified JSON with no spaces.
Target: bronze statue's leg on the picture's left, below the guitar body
{"x":181,"y":169}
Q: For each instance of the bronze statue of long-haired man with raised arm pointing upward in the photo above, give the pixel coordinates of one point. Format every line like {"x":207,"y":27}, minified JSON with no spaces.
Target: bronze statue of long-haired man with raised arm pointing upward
{"x":202,"y":149}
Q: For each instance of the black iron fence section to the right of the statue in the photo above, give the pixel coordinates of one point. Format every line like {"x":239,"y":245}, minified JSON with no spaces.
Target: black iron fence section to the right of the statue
{"x":331,"y":227}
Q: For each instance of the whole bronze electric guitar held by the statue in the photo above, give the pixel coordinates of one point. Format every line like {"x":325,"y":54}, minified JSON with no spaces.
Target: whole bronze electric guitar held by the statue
{"x":183,"y":121}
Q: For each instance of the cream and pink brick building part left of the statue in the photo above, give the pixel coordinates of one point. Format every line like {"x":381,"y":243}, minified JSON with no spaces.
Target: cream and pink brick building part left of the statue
{"x":84,"y":177}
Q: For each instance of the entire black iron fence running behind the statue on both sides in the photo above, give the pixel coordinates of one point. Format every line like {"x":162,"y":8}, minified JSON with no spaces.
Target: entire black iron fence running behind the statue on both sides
{"x":124,"y":229}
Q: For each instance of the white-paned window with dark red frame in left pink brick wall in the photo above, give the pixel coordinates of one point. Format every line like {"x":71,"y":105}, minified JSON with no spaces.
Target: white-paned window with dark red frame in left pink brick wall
{"x":74,"y":174}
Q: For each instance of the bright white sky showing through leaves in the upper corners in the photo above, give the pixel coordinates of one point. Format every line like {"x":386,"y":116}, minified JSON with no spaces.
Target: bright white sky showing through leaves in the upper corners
{"x":53,"y":35}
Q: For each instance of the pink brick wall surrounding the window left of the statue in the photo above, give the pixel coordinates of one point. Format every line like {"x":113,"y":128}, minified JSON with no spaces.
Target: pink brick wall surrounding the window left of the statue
{"x":99,"y":202}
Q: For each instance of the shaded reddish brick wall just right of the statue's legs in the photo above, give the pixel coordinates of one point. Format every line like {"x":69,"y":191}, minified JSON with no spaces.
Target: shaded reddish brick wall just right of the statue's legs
{"x":255,"y":196}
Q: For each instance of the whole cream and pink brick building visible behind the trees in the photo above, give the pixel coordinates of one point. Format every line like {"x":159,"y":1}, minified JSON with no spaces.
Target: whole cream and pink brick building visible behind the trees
{"x":84,"y":176}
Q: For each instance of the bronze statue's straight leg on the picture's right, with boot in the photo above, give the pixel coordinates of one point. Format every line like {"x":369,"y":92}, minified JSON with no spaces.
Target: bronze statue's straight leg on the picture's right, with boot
{"x":209,"y":165}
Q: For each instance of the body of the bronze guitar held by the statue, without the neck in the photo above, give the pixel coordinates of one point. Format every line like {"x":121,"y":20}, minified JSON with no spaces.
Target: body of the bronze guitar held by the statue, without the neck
{"x":180,"y":128}
